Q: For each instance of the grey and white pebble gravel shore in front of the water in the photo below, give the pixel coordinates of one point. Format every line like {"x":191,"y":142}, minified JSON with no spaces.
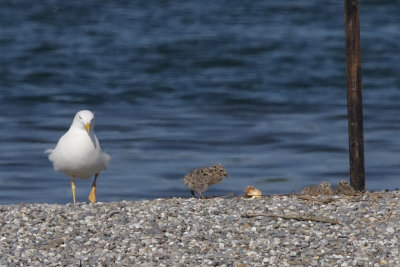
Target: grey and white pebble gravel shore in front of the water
{"x":278,"y":230}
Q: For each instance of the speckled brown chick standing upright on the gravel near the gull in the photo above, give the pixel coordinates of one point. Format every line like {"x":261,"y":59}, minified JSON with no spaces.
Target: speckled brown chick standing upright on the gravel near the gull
{"x":201,"y":178}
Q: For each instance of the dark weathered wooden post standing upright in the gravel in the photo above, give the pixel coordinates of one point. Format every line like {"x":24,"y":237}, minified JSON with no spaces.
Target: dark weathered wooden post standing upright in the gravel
{"x":354,"y":93}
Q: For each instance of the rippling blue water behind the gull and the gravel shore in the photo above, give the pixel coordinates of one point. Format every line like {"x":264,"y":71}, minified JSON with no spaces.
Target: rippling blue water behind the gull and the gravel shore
{"x":258,"y":86}
